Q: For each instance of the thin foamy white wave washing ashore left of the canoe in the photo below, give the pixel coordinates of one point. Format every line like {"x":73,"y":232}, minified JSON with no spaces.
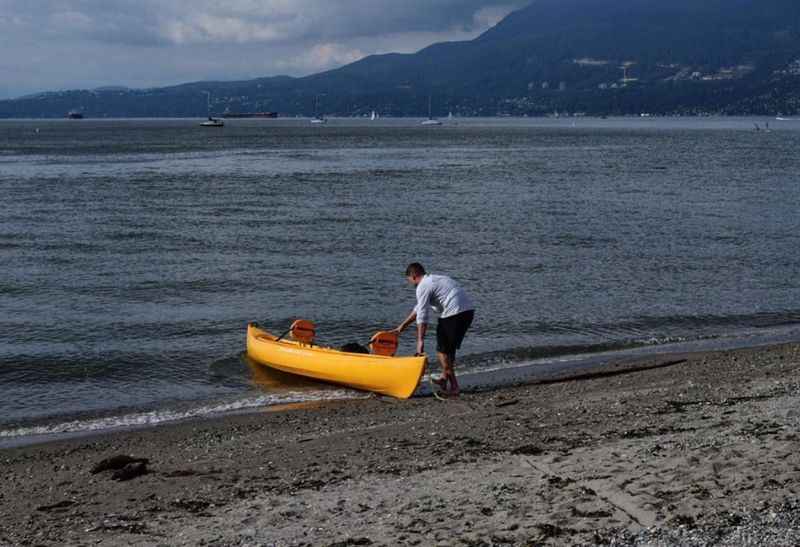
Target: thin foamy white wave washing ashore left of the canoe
{"x":158,"y":417}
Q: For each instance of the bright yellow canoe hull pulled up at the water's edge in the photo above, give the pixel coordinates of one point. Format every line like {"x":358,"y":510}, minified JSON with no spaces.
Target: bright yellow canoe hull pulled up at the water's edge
{"x":393,"y":376}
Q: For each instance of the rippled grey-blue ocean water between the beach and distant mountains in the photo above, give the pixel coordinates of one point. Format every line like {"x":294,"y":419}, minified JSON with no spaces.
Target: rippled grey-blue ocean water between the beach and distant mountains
{"x":134,"y":252}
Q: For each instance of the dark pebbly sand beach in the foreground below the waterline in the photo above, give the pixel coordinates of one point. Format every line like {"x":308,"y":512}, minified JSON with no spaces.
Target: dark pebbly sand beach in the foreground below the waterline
{"x":698,"y":449}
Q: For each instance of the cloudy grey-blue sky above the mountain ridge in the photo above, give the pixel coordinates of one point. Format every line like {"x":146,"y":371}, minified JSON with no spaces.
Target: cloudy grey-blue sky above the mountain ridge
{"x":69,"y":44}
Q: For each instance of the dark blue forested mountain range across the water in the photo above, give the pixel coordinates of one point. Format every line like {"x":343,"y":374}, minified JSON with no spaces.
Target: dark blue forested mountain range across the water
{"x":598,"y":57}
